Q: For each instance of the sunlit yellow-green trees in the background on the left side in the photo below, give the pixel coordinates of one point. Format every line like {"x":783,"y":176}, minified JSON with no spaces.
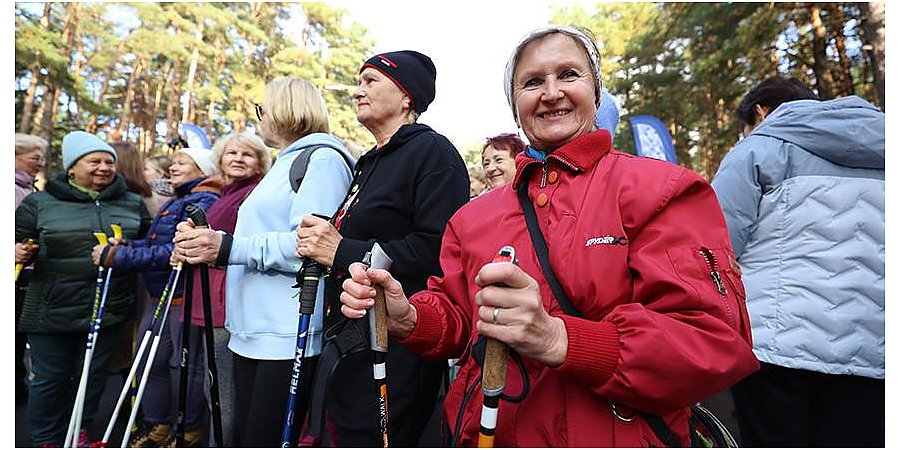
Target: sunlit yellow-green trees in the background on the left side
{"x":129,"y":70}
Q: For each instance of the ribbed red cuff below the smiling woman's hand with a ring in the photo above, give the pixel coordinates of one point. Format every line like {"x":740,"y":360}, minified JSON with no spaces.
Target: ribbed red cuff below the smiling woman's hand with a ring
{"x":593,"y":351}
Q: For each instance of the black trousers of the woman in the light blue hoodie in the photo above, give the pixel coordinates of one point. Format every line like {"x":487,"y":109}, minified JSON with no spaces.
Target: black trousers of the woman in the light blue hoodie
{"x":261,"y":394}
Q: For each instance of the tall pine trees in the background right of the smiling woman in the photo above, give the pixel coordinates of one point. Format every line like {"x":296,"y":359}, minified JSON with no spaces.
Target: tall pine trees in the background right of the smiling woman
{"x":689,"y":64}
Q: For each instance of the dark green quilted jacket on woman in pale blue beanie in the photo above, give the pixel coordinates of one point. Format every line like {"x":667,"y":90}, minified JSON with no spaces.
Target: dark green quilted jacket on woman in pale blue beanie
{"x":62,"y":219}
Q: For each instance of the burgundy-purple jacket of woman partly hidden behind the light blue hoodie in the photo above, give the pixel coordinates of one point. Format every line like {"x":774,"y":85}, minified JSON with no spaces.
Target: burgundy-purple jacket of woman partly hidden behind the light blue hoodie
{"x":222,"y":215}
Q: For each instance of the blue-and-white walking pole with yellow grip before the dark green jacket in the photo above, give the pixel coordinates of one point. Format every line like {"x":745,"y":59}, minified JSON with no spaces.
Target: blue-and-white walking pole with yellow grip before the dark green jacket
{"x":100,"y":292}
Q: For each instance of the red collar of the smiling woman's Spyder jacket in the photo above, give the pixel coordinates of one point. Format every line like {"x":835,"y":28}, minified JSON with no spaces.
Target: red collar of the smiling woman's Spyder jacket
{"x":577,"y":155}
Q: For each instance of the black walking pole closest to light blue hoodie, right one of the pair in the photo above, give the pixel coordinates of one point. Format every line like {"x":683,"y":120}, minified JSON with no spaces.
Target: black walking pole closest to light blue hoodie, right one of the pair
{"x":198,"y":216}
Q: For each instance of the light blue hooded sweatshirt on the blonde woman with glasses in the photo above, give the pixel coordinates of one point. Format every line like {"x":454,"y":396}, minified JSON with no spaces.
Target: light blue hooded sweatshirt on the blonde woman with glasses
{"x":262,"y":309}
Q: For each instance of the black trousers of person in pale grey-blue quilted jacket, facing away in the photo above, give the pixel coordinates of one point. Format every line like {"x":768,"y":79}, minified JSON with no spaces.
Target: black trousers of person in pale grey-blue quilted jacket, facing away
{"x":783,"y":407}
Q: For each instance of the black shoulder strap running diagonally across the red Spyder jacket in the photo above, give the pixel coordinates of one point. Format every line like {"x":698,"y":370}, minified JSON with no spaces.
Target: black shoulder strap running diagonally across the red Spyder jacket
{"x":662,"y":431}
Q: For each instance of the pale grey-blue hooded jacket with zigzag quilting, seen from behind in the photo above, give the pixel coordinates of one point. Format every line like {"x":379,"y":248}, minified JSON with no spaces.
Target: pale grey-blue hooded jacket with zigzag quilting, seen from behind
{"x":803,"y":196}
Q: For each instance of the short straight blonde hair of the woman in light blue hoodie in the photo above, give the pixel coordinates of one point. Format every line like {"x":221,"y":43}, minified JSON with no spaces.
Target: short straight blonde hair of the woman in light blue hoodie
{"x":296,"y":108}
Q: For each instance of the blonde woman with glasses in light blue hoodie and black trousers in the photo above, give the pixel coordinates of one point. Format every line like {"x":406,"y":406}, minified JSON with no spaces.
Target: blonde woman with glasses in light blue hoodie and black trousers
{"x":261,"y":310}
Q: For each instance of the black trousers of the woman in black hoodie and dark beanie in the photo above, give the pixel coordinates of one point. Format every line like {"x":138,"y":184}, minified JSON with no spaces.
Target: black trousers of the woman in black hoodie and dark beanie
{"x":352,"y":402}
